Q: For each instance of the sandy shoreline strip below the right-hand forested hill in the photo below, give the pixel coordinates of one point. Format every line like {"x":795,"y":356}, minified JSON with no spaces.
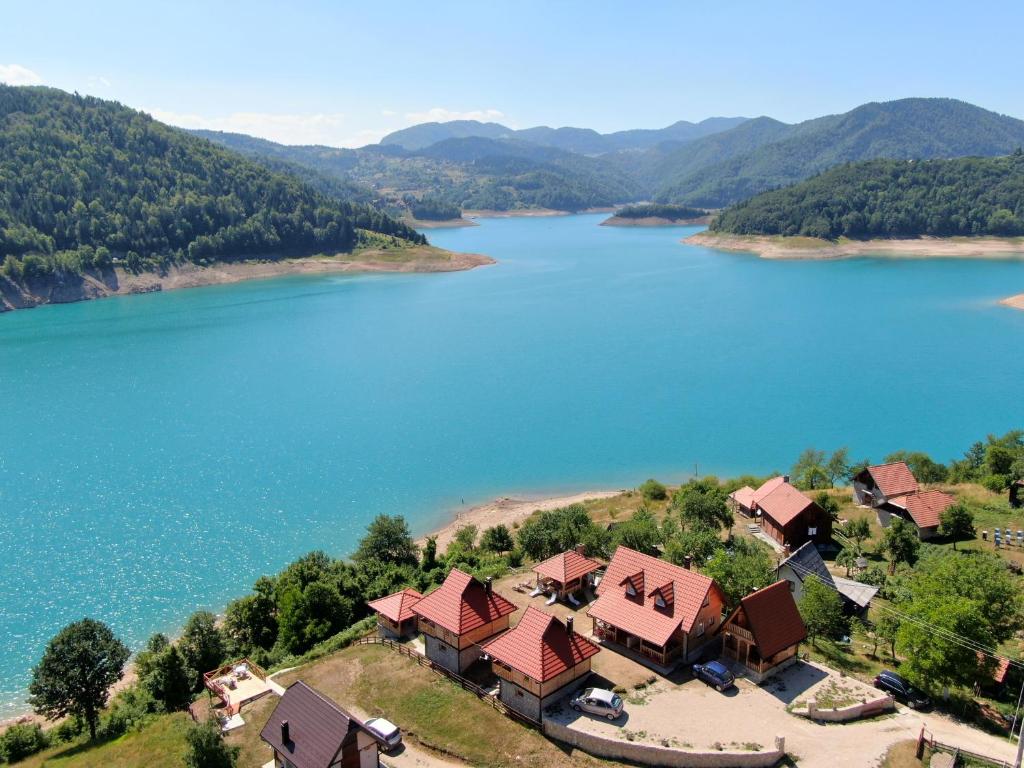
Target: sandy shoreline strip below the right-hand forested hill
{"x":777,"y":247}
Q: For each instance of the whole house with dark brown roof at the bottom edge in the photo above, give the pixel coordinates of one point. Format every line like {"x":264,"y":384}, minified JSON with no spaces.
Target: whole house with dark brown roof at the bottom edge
{"x":309,"y":731}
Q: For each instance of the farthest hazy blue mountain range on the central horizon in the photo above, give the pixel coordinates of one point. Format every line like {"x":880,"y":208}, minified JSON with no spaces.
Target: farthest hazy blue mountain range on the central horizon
{"x":580,"y":141}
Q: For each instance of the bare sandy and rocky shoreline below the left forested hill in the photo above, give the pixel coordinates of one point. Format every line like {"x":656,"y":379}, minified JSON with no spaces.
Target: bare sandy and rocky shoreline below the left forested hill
{"x":119,"y":283}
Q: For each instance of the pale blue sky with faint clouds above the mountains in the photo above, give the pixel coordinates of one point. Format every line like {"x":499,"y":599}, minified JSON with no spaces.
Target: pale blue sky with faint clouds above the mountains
{"x":346,"y":74}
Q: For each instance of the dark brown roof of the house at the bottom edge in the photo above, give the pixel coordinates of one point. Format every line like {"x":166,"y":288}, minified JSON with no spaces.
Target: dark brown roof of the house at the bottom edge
{"x":317,"y":728}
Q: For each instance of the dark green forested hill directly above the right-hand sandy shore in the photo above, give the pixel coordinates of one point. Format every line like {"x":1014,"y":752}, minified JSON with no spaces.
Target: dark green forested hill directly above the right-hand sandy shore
{"x":892,"y":199}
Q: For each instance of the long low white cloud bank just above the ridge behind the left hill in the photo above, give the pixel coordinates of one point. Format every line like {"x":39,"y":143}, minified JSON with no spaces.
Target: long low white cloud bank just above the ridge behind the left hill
{"x":315,"y":129}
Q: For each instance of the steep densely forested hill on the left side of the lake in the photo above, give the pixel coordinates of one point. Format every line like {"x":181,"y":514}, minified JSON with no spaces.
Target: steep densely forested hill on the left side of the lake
{"x":84,"y":183}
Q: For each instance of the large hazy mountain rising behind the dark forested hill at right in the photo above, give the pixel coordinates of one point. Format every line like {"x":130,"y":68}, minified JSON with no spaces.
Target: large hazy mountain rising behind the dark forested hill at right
{"x":779,"y":155}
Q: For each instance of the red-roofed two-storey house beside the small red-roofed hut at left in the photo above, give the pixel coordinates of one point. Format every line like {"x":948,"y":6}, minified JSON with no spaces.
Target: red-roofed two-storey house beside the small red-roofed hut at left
{"x":458,"y":618}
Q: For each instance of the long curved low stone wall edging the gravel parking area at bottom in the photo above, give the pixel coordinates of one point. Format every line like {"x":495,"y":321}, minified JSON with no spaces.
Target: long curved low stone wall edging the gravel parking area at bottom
{"x":663,"y":756}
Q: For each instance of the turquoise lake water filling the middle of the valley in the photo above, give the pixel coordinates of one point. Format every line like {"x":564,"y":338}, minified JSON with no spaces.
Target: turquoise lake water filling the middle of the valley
{"x":158,"y":453}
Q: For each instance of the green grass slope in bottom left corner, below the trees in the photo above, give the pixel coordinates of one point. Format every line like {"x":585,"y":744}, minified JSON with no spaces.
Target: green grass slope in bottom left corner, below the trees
{"x":160,"y":745}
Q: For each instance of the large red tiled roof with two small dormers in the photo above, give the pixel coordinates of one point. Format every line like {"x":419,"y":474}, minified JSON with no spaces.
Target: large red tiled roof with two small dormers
{"x":641,"y":616}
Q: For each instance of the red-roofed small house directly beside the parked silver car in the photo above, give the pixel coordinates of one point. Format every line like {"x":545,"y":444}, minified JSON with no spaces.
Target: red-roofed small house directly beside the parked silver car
{"x":538,"y":661}
